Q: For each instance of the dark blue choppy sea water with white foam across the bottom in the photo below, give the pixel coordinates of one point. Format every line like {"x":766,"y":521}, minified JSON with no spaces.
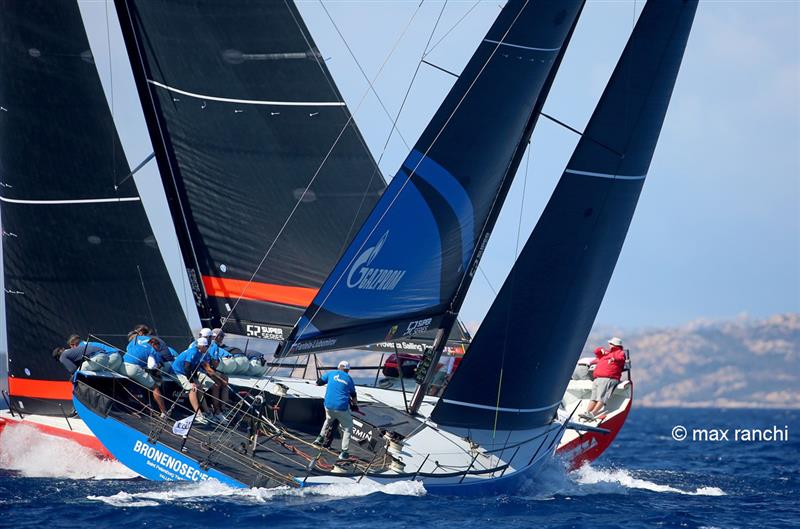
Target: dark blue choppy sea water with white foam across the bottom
{"x":646,"y":479}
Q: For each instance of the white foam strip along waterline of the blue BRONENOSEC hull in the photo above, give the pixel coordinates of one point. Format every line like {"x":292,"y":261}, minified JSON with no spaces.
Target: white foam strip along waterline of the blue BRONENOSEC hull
{"x":182,"y":492}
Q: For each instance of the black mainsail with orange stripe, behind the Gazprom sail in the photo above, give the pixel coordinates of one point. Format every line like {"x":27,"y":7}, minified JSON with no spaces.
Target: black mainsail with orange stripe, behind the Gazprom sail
{"x":244,"y":114}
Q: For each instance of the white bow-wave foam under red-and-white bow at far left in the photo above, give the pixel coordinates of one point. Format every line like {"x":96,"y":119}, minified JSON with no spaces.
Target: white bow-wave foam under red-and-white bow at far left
{"x":31,"y":453}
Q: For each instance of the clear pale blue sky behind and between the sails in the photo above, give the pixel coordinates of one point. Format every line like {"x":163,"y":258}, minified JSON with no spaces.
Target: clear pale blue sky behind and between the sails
{"x":717,"y":229}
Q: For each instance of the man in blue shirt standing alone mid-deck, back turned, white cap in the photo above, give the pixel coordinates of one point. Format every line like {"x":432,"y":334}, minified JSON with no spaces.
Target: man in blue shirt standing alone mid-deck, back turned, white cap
{"x":338,"y":395}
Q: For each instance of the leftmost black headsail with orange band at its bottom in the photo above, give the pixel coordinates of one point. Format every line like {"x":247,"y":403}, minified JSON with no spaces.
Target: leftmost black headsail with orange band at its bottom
{"x":79,"y":255}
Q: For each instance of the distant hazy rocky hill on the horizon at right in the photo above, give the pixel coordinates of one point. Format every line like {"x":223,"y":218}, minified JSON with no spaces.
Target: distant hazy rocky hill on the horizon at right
{"x":738,"y":363}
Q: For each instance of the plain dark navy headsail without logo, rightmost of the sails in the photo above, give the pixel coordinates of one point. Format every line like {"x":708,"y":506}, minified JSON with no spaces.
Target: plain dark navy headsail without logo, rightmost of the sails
{"x":551,"y":297}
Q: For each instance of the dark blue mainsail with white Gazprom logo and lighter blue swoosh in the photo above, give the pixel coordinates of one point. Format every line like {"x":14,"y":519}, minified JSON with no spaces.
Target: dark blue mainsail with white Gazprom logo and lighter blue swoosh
{"x":407,"y":269}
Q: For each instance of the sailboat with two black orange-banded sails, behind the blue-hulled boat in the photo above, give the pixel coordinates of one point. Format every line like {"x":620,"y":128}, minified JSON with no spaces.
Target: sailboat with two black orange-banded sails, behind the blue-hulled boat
{"x":76,"y":265}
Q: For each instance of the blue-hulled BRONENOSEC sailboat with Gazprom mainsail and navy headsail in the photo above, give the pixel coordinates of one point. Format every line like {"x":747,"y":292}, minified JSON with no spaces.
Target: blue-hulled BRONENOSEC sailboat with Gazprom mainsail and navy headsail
{"x":496,"y":422}
